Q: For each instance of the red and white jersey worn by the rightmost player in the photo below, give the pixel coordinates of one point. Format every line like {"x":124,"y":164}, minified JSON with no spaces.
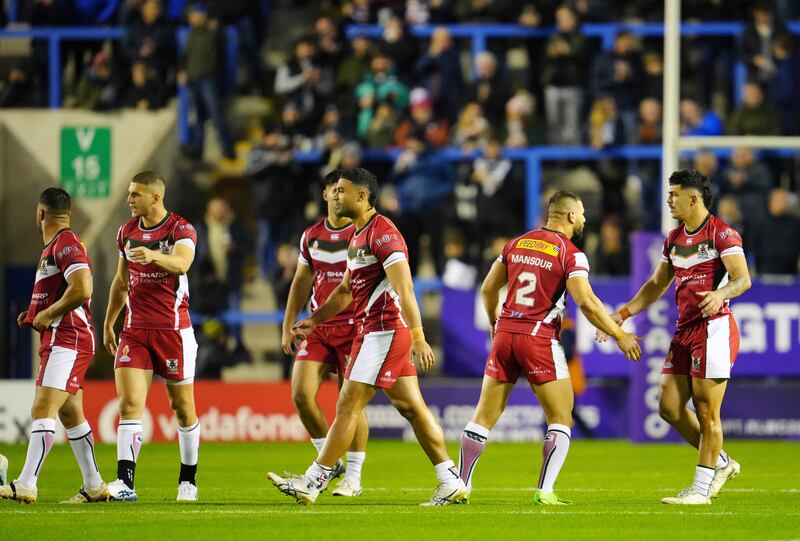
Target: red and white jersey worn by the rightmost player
{"x":696,"y":258}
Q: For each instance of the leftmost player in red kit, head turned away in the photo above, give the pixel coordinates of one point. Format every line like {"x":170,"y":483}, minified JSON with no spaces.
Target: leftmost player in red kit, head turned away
{"x":60,"y":311}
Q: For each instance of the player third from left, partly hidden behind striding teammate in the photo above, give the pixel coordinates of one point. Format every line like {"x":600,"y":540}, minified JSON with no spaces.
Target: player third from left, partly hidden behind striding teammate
{"x":321,"y":266}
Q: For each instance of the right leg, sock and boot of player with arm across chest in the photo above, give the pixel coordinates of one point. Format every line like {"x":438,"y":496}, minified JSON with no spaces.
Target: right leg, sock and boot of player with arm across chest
{"x":181,"y":399}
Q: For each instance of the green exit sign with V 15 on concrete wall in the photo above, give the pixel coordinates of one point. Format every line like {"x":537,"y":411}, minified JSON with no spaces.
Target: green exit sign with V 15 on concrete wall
{"x":86,"y":161}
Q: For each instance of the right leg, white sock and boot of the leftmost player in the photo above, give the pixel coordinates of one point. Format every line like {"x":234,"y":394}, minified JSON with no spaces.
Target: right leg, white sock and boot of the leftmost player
{"x":81,"y":440}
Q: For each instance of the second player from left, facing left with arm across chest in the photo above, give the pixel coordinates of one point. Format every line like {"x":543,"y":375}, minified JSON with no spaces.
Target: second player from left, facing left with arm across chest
{"x":156,"y":249}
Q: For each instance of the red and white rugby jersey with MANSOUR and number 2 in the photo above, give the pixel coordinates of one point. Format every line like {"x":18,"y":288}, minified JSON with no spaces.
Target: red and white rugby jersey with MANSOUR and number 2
{"x":538,"y":265}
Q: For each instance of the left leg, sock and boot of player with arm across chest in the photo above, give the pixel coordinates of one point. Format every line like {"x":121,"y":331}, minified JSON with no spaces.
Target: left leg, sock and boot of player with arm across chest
{"x":132,"y":384}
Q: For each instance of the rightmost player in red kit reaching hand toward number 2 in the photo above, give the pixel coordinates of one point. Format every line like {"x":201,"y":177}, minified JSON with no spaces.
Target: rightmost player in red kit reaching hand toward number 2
{"x":705,"y":256}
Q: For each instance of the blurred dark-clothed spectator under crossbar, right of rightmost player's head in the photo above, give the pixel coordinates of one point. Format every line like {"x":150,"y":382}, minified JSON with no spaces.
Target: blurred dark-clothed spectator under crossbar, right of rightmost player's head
{"x":749,"y":181}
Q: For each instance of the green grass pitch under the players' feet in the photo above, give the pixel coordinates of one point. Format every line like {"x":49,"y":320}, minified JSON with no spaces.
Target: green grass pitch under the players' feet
{"x":615,"y":487}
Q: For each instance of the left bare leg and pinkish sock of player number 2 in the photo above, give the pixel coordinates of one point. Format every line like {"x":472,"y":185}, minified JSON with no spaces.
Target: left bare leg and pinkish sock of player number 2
{"x":492,"y":403}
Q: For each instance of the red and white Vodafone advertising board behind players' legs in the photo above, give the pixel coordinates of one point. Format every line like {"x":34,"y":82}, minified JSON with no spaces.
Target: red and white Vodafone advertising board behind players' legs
{"x":227,"y":411}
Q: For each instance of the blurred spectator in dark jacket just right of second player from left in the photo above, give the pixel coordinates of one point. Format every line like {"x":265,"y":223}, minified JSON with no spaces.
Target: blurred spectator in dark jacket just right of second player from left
{"x":223,"y":244}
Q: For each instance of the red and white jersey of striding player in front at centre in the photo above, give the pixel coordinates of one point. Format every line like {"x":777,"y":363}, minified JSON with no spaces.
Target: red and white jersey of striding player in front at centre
{"x":375,"y":247}
